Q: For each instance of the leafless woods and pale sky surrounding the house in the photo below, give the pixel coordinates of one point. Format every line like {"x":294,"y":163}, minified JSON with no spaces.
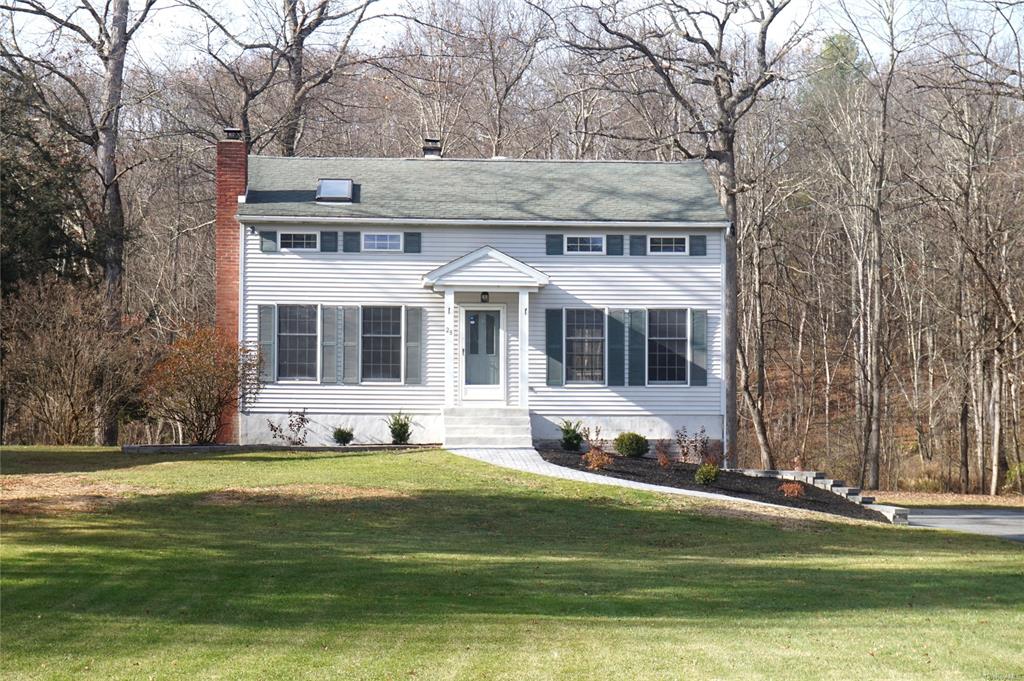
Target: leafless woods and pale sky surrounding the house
{"x":870,"y":153}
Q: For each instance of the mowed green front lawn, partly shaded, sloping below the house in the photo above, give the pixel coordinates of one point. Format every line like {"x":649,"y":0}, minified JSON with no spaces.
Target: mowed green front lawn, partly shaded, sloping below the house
{"x":426,"y":566}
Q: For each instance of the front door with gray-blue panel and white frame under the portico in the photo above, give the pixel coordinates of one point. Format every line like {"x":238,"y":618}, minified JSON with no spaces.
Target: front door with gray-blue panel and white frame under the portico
{"x":483,"y":352}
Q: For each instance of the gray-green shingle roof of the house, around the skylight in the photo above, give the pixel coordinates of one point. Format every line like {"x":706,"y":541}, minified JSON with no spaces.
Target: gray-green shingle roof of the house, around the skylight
{"x":486,"y":190}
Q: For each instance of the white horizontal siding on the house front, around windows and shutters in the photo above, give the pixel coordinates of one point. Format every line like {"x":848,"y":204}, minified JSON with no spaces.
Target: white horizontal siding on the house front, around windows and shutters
{"x":379,"y":279}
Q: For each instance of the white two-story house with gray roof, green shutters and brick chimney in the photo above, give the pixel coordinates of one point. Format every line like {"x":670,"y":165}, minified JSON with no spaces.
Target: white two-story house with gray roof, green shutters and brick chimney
{"x":488,"y":300}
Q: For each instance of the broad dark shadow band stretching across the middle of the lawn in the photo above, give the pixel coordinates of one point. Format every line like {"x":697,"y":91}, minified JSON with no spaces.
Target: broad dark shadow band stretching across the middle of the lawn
{"x":176,"y":559}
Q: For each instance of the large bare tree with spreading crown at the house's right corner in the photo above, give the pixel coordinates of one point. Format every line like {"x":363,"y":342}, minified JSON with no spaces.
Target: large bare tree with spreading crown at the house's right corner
{"x":714,"y":60}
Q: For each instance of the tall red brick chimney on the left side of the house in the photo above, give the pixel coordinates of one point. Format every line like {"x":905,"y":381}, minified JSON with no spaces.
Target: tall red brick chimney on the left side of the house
{"x":232,"y":180}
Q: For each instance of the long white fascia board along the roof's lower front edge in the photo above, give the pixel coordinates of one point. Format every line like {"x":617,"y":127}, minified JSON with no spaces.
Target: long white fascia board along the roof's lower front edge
{"x":589,"y":225}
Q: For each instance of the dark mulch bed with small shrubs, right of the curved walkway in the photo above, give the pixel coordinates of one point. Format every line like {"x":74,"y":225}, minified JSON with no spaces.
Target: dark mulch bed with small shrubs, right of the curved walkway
{"x":735,"y":485}
